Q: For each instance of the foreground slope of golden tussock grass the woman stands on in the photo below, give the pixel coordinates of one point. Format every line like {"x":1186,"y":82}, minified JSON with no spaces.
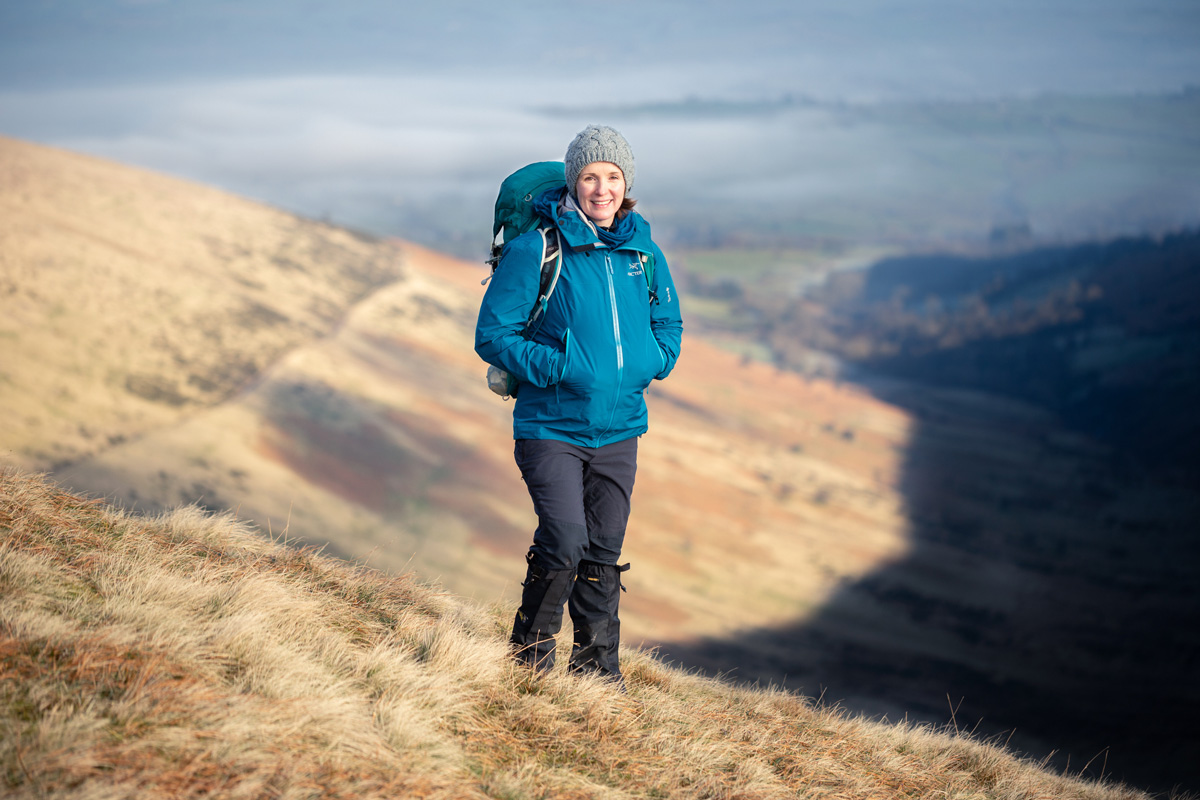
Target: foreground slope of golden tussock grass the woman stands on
{"x":187,"y":657}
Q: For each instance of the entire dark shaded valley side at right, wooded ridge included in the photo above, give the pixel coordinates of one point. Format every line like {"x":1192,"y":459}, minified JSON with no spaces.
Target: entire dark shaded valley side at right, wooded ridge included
{"x":1051,"y":484}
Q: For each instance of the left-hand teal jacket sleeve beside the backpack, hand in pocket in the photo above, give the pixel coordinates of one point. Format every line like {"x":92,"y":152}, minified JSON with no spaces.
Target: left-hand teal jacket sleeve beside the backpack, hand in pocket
{"x":505,"y":312}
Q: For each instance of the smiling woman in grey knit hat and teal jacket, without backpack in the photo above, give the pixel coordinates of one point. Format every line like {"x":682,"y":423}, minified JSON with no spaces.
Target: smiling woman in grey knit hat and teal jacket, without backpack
{"x":609,"y":330}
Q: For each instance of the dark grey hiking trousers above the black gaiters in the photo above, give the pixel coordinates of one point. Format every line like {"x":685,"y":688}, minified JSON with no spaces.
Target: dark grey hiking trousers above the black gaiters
{"x":581,"y":497}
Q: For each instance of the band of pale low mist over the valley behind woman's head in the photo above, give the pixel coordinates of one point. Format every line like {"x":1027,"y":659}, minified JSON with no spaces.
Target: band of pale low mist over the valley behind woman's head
{"x":422,"y":158}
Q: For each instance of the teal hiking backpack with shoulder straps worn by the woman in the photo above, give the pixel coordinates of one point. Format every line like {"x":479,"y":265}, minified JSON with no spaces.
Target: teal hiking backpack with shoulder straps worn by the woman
{"x":514,"y":216}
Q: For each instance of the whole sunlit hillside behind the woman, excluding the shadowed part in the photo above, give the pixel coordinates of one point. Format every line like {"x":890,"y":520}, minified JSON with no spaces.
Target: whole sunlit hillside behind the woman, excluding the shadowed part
{"x":369,"y":428}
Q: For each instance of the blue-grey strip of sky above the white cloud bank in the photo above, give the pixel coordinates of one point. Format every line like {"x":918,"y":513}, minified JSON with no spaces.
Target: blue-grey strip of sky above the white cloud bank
{"x":829,"y":49}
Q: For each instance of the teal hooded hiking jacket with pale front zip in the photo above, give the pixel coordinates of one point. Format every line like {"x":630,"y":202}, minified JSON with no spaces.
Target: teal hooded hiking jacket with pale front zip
{"x":604,"y":338}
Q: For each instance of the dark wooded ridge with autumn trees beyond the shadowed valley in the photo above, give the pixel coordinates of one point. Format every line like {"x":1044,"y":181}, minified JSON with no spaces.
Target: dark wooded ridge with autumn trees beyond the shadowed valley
{"x":1108,"y":335}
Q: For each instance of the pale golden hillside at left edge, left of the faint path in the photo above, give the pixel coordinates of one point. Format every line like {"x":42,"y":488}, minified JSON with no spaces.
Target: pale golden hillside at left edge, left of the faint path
{"x":131,"y":299}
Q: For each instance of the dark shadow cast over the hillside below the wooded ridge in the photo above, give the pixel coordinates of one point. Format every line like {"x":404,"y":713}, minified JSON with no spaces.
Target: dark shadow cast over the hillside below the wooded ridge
{"x":1049,"y":599}
